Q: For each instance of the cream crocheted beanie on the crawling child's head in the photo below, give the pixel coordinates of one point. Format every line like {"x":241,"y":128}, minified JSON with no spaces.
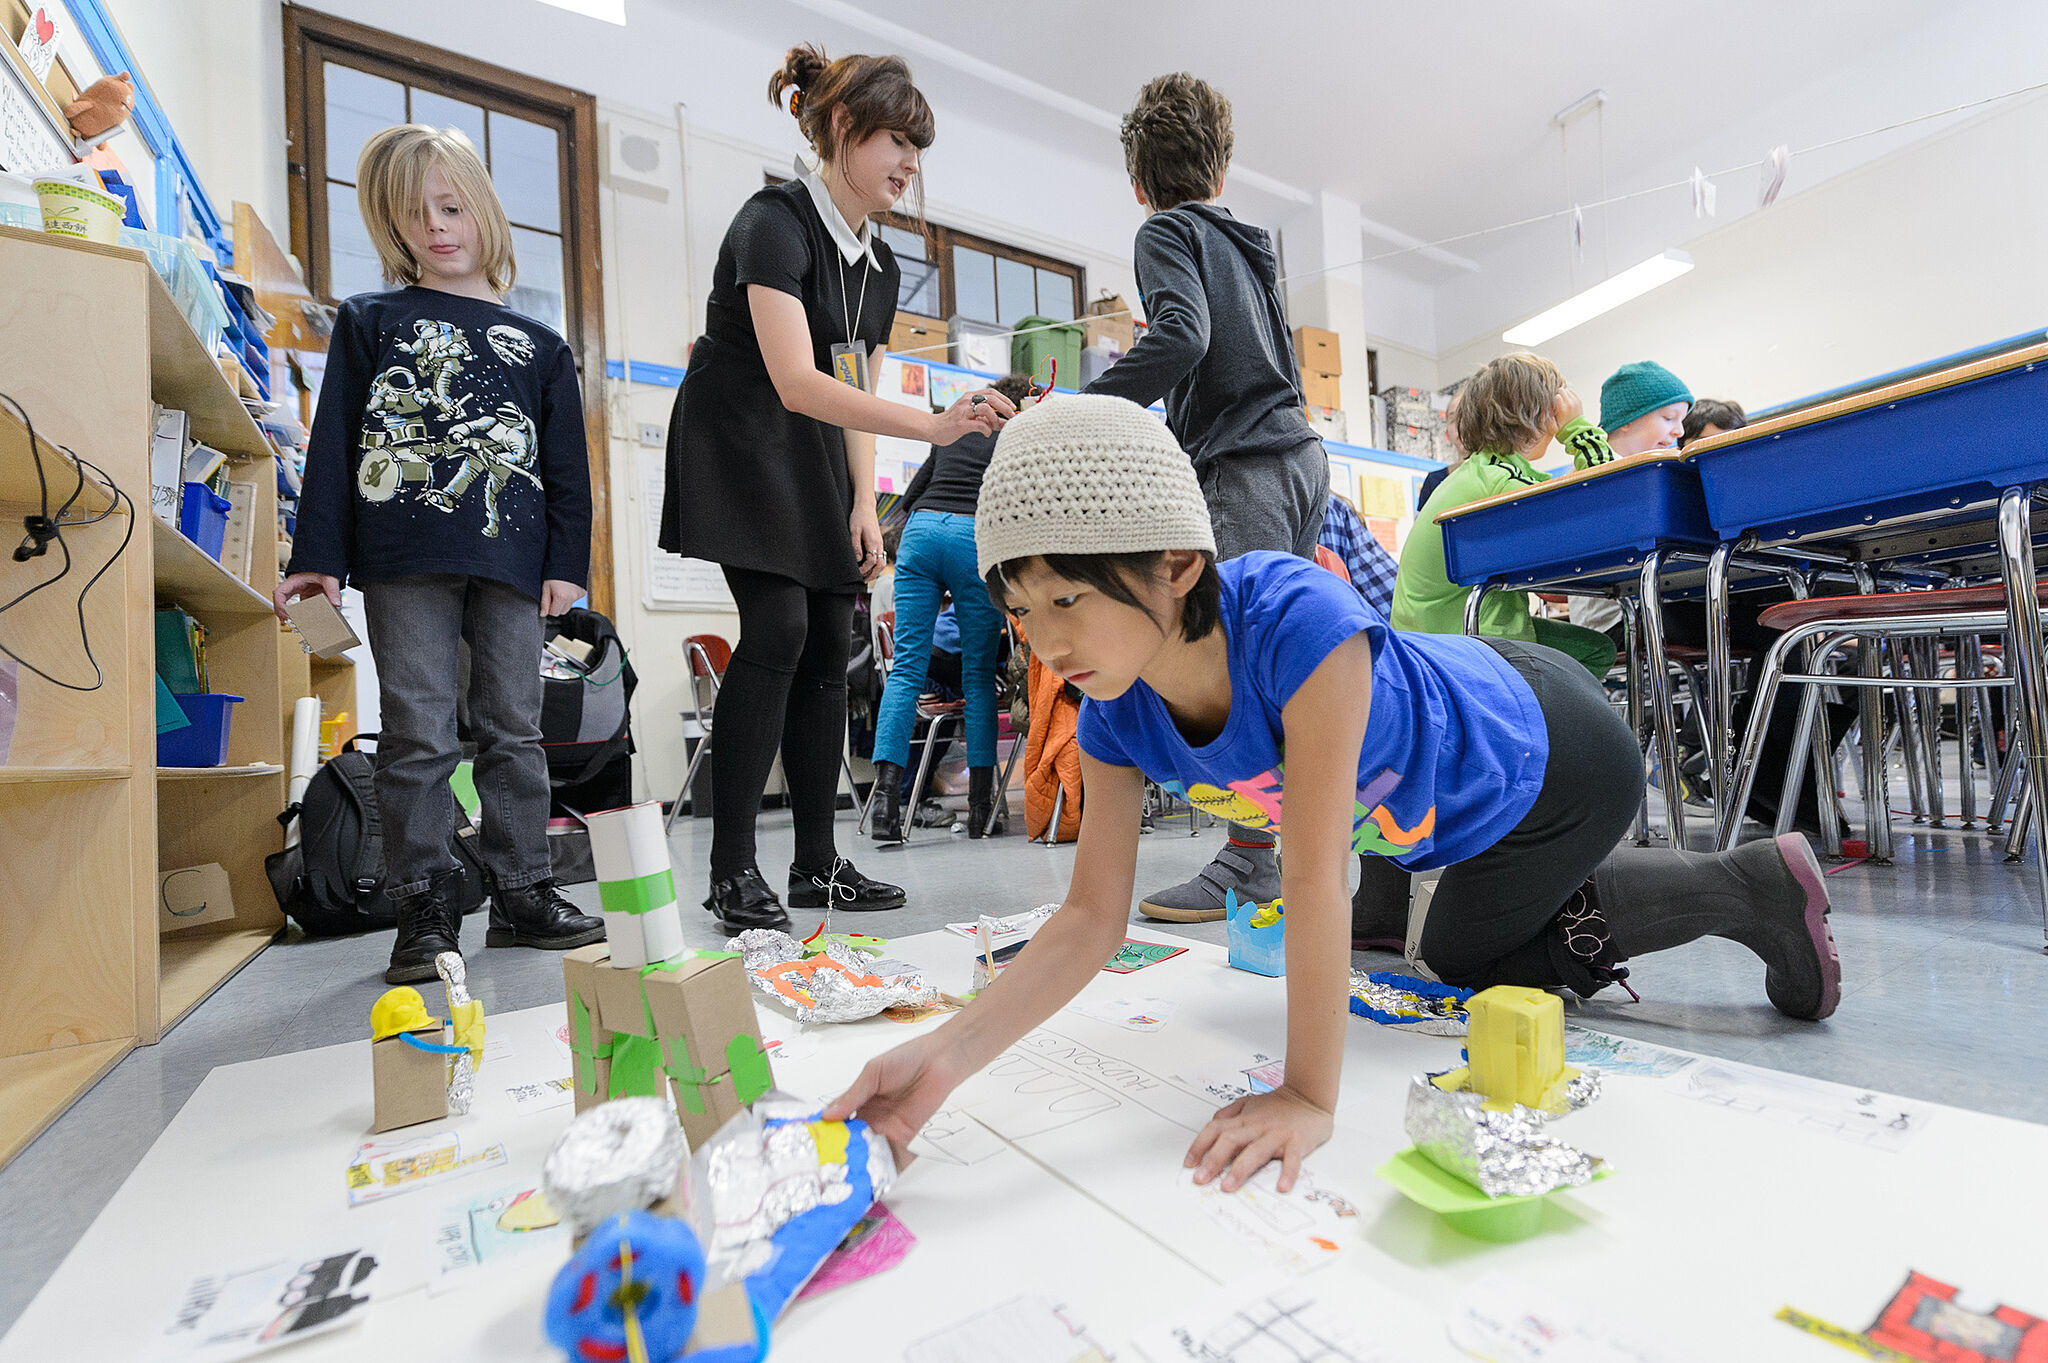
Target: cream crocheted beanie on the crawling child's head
{"x":1089,"y":476}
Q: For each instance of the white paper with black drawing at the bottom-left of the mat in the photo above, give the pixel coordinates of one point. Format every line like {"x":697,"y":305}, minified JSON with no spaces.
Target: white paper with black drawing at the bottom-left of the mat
{"x":273,"y":1303}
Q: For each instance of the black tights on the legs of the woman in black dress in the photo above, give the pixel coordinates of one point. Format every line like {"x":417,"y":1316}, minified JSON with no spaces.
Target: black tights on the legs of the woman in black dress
{"x":785,"y":689}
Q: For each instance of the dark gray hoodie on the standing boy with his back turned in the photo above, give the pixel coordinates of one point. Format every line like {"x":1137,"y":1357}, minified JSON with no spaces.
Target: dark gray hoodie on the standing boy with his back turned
{"x":1215,"y":337}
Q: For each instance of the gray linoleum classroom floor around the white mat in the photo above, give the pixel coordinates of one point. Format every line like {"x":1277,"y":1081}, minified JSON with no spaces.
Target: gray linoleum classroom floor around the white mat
{"x":1945,"y":998}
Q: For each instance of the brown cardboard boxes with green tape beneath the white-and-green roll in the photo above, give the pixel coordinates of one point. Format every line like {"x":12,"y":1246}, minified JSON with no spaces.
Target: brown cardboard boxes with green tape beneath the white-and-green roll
{"x":697,"y":1016}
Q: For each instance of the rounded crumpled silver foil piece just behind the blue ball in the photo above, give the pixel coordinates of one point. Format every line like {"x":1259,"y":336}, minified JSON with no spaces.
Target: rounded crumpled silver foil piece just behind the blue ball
{"x":615,"y":1157}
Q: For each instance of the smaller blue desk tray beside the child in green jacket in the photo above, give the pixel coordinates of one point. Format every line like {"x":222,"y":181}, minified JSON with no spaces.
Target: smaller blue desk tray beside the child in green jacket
{"x":1580,"y":529}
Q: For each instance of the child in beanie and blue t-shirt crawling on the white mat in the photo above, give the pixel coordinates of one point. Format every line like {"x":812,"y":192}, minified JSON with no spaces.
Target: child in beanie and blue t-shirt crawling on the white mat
{"x":1267,"y":687}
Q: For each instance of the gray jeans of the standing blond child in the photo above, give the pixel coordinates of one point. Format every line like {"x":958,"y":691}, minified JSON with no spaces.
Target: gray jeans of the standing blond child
{"x":417,"y":627}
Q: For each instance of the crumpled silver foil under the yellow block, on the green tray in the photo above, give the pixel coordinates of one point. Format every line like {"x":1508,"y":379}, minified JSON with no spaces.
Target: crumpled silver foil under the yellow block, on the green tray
{"x":1500,"y":1153}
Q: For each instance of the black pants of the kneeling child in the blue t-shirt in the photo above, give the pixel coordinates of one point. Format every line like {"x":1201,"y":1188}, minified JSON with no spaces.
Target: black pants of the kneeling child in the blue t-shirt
{"x":1490,"y":920}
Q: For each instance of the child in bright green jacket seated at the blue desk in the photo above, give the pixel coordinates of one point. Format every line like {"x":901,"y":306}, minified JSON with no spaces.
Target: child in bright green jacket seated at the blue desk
{"x":1508,"y":412}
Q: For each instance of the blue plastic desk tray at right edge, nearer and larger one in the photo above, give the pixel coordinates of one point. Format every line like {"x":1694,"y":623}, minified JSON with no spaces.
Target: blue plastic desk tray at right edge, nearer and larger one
{"x":1943,"y":449}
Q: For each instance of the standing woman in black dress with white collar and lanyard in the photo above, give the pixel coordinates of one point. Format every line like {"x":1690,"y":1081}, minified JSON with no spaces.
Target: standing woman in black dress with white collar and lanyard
{"x":771,"y":466}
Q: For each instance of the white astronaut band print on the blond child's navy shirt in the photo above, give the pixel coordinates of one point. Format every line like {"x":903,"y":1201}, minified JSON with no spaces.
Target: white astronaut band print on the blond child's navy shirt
{"x":445,"y":423}
